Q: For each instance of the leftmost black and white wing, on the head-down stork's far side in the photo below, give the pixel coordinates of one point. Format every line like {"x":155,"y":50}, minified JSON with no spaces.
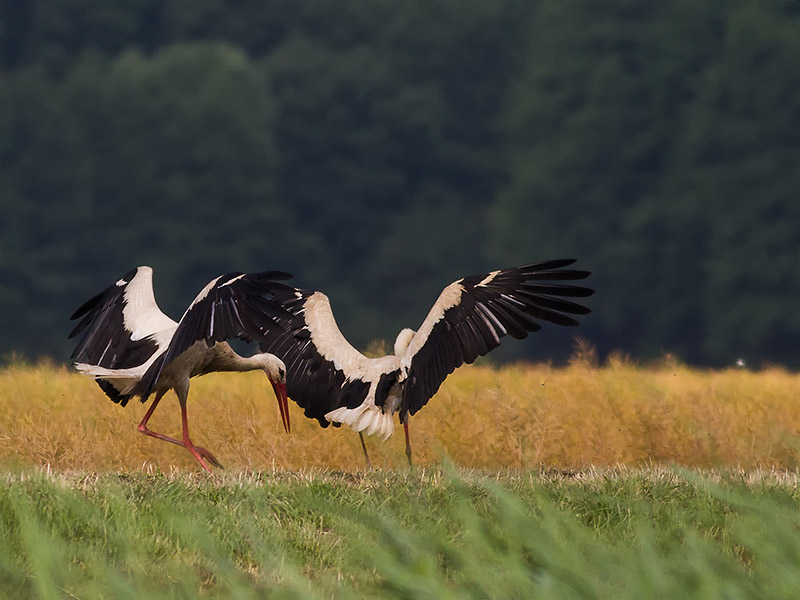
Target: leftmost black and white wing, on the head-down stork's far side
{"x":122,"y":326}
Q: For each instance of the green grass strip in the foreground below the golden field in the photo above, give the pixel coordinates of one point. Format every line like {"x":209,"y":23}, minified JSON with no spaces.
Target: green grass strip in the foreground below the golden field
{"x":433,"y":533}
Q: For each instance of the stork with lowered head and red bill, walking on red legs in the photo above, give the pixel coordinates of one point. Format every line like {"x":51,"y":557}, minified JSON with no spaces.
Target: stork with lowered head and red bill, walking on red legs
{"x":131,"y":348}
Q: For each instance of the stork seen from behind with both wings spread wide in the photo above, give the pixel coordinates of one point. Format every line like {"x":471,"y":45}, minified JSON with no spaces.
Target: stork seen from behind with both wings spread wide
{"x":335,"y":383}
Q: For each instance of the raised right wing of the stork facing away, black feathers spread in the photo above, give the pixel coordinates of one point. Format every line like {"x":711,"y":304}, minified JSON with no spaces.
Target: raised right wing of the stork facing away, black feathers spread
{"x":473,"y":313}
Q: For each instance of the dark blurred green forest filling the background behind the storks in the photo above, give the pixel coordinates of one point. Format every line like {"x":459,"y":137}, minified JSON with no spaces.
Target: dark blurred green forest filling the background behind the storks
{"x":380,"y":150}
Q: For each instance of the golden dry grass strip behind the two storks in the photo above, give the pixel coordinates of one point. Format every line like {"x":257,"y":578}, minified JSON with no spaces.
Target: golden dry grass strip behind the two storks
{"x":520,"y":416}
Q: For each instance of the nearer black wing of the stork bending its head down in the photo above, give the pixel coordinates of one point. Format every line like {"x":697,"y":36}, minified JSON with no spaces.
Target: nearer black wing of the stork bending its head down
{"x":236,"y":305}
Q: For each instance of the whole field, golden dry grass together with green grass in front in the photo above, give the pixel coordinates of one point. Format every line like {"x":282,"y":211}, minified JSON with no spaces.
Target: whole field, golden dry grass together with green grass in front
{"x":533,"y":482}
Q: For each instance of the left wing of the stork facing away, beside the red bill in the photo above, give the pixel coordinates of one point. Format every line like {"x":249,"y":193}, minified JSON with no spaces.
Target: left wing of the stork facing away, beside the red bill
{"x":323,"y":371}
